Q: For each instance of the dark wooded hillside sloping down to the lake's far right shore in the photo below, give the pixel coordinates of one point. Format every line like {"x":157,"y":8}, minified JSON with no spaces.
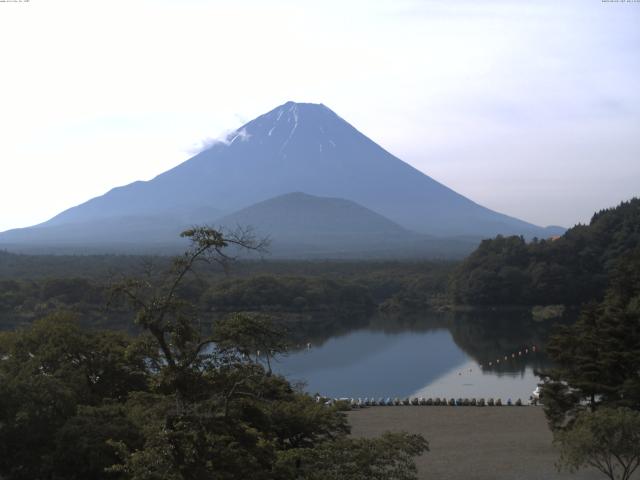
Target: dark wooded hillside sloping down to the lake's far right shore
{"x":569,"y":270}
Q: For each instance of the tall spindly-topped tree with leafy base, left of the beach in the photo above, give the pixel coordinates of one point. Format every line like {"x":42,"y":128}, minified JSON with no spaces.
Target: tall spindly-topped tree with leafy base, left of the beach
{"x":215,"y":411}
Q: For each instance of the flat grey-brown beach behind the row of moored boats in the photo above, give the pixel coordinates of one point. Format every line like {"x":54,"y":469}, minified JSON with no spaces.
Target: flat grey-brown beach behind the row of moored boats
{"x":474,"y":443}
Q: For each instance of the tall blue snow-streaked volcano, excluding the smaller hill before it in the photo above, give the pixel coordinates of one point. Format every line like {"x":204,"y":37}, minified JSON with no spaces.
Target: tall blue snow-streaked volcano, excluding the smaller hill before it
{"x":297,"y":147}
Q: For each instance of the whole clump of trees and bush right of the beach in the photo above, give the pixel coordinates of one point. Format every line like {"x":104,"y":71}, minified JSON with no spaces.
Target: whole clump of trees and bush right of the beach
{"x":591,"y":395}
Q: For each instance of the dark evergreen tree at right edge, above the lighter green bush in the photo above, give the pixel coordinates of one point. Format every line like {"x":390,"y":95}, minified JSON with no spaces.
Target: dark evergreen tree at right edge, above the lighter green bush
{"x":598,"y":358}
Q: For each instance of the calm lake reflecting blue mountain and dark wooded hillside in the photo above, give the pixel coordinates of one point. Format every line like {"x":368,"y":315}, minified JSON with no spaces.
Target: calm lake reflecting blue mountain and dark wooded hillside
{"x":460,"y":357}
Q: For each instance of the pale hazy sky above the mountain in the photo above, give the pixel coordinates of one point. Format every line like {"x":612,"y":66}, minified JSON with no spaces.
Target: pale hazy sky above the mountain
{"x":529,"y":108}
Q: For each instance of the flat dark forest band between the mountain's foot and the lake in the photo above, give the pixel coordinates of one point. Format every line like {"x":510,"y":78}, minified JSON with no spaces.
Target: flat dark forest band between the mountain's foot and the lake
{"x":339,"y":289}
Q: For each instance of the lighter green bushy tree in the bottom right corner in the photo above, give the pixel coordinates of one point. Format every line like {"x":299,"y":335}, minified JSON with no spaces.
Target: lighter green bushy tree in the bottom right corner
{"x":607,"y":439}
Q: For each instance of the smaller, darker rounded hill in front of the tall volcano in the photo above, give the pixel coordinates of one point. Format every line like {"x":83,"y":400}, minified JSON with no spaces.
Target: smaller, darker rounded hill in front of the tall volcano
{"x":302,"y":225}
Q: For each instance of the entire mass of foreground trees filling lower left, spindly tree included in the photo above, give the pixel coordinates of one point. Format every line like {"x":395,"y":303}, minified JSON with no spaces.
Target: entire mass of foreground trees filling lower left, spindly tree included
{"x":182,"y":400}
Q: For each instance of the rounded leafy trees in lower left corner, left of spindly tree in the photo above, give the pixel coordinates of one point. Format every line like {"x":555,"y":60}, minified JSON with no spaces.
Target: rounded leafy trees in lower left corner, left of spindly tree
{"x":47,"y":374}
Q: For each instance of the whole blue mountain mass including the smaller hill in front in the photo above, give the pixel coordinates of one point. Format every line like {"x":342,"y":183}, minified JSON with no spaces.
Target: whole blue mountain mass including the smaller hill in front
{"x":299,"y":148}
